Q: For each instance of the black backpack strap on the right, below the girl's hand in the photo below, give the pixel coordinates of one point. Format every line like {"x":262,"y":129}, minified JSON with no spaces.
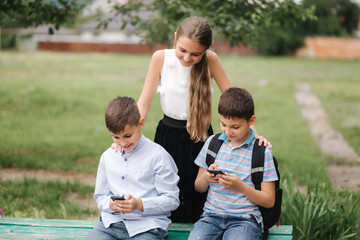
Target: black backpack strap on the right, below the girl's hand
{"x":257,"y":164}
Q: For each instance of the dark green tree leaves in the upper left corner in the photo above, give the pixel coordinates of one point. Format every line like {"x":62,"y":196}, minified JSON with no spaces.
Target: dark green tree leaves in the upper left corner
{"x":25,"y":13}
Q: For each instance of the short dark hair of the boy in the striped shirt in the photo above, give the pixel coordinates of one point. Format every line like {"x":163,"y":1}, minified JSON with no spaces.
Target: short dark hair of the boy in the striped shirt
{"x":236,"y":102}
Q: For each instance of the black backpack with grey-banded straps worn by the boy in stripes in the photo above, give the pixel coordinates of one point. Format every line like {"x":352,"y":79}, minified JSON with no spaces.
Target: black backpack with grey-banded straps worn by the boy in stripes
{"x":270,"y":215}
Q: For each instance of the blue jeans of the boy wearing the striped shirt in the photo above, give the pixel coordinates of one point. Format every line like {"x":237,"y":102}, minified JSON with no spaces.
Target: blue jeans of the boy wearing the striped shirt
{"x":216,"y":227}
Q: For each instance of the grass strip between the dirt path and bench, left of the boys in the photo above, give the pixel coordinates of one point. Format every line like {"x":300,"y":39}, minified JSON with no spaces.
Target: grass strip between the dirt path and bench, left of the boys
{"x":44,"y":200}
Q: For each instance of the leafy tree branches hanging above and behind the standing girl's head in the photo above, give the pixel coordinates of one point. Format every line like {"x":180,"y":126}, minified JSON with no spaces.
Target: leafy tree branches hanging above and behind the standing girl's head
{"x":239,"y":21}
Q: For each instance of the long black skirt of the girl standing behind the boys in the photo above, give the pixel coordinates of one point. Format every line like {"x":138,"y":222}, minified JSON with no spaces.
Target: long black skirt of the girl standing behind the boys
{"x":173,"y":136}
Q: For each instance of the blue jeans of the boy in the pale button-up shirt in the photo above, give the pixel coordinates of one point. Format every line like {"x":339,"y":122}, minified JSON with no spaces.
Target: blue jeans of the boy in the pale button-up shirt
{"x":118,"y":231}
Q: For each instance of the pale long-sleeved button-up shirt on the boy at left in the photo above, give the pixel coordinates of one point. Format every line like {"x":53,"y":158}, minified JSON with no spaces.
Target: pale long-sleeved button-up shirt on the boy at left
{"x":148,"y":172}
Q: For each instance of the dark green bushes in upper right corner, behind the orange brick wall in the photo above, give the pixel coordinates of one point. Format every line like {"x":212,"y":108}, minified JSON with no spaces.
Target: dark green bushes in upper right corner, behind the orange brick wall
{"x":333,"y":18}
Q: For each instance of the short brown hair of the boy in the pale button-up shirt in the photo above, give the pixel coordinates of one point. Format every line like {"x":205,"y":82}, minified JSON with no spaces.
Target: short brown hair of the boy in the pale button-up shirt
{"x":120,"y":112}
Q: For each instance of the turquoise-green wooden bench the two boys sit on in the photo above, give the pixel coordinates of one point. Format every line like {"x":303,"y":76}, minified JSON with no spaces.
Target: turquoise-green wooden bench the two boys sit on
{"x":33,"y":228}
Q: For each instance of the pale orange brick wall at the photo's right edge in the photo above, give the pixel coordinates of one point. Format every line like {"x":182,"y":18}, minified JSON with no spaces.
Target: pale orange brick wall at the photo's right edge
{"x":330,"y":47}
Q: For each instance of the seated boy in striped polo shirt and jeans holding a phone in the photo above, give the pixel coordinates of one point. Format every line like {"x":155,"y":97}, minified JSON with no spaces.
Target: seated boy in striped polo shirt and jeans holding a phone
{"x":231,"y":209}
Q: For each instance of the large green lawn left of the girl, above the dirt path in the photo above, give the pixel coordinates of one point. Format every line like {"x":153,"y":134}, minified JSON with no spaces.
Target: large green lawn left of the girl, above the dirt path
{"x":52,"y":106}
